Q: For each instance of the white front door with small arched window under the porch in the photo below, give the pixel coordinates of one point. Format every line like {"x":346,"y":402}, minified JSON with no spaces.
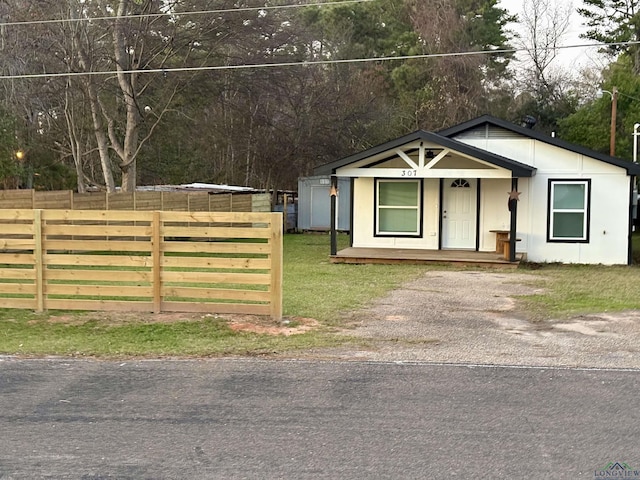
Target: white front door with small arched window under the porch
{"x":459,"y":213}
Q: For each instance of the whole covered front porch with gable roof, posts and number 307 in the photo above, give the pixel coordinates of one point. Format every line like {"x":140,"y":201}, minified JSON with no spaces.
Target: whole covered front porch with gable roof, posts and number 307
{"x":425,"y":198}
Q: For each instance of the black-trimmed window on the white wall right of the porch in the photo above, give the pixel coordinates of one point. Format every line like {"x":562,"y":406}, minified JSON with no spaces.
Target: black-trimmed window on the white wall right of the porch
{"x":569,"y":210}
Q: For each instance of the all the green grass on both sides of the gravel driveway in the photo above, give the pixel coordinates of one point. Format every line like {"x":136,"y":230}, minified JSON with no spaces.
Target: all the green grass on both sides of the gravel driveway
{"x":313,"y":288}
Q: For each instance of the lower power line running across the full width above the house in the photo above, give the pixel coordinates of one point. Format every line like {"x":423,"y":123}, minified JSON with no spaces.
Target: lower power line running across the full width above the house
{"x":304,"y":63}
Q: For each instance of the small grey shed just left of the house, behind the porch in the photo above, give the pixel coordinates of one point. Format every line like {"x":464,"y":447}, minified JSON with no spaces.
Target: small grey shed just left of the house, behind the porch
{"x":314,"y":203}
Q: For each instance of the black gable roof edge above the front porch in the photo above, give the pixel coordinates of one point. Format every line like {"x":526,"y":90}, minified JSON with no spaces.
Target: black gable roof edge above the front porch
{"x":518,"y":169}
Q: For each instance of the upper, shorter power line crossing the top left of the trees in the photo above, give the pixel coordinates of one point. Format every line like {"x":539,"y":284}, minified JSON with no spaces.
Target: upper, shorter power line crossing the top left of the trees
{"x":177,"y":14}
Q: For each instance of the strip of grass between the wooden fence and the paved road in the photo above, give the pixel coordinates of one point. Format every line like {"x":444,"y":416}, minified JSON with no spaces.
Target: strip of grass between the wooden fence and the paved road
{"x":31,"y":334}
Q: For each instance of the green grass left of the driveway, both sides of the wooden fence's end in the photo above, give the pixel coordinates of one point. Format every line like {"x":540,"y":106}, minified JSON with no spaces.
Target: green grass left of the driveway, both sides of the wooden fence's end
{"x":313,"y":288}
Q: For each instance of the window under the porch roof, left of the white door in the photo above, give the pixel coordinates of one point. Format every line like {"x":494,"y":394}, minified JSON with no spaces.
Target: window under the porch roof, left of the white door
{"x":398,"y":207}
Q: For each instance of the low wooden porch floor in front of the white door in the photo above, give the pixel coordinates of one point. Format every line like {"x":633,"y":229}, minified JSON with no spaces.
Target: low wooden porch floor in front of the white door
{"x":409,"y":255}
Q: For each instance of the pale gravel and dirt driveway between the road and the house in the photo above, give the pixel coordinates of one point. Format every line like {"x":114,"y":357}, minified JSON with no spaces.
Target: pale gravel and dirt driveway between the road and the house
{"x":472,"y":317}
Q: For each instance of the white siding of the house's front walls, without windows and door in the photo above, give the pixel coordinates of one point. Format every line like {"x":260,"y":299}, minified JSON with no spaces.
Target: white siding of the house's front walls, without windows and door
{"x":608,"y":213}
